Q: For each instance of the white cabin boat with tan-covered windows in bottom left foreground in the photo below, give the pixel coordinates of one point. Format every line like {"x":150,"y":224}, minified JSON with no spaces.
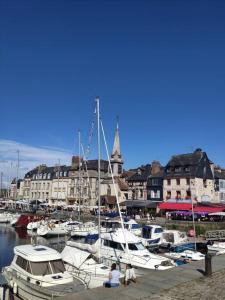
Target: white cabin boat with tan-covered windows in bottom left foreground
{"x":38,"y":272}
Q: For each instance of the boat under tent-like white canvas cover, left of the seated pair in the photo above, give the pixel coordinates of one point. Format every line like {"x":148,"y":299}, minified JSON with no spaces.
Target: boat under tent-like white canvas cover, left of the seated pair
{"x":79,"y":260}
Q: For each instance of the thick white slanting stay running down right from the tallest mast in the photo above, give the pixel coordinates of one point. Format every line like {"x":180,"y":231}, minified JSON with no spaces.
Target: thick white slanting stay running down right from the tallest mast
{"x":116,"y":192}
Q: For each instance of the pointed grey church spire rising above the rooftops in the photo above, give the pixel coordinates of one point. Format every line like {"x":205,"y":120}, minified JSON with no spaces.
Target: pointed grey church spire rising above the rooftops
{"x":116,"y":157}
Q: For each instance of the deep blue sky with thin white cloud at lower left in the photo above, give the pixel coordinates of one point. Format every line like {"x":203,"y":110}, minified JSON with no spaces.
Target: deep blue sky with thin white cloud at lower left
{"x":159,"y":65}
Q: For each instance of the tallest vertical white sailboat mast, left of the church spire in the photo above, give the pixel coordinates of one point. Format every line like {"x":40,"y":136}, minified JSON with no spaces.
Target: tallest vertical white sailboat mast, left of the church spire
{"x":99,"y":167}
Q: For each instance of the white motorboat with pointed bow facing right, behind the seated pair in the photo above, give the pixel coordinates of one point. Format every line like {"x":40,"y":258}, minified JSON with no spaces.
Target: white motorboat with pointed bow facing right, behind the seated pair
{"x":113,"y":249}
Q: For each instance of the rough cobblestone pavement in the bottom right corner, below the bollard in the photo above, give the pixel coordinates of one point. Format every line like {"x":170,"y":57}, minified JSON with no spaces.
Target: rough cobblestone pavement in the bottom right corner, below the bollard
{"x":206,"y":288}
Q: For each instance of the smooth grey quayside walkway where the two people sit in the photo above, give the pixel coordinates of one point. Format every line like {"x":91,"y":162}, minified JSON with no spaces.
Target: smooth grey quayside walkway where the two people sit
{"x":154,"y":283}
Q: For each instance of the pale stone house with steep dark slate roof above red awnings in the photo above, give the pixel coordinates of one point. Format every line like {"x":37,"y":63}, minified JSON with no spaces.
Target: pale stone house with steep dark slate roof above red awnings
{"x":189,"y":176}
